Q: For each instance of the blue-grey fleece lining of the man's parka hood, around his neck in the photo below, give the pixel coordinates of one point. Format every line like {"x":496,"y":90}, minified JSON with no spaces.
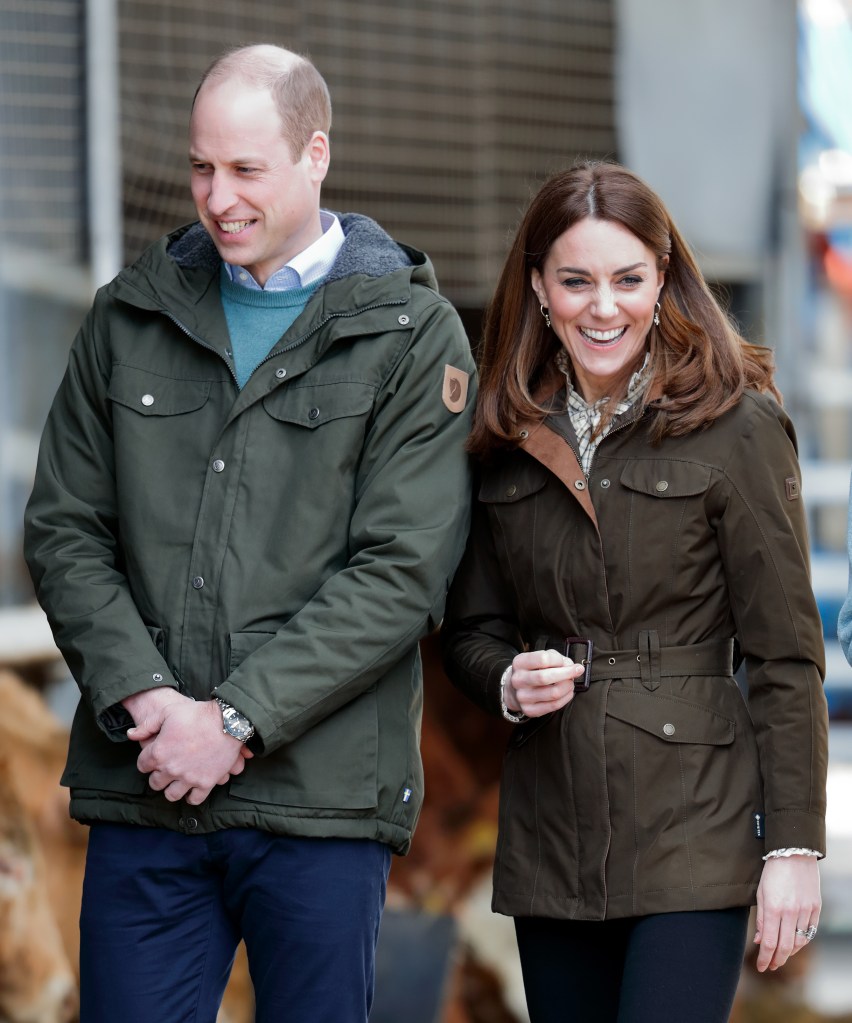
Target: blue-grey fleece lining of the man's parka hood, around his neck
{"x":368,"y":249}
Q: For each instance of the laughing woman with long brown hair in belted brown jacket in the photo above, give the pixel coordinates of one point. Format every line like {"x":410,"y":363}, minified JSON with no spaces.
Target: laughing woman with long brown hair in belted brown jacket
{"x":639,"y":530}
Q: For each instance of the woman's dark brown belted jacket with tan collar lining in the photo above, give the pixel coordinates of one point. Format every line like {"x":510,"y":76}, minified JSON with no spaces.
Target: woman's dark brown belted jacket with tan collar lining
{"x":657,"y":790}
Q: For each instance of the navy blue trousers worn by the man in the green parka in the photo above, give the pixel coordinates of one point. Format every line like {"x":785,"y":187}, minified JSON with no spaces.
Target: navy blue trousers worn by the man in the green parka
{"x":163,"y":914}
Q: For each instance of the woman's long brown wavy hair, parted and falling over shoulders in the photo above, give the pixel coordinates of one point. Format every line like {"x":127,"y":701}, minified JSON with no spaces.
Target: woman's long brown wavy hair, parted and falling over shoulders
{"x":699,"y":362}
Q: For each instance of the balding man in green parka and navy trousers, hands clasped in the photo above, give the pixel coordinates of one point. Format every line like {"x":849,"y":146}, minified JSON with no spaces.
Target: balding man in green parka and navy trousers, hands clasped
{"x":251,"y":496}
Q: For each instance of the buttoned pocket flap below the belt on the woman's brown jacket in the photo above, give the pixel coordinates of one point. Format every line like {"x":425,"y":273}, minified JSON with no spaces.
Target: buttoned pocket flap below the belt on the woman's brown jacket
{"x":670,"y":719}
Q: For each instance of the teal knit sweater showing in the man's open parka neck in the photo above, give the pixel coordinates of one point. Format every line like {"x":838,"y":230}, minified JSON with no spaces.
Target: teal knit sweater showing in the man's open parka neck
{"x":257,"y":321}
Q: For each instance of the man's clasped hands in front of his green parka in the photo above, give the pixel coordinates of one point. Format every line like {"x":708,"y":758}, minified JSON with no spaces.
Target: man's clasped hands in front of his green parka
{"x":186,"y":753}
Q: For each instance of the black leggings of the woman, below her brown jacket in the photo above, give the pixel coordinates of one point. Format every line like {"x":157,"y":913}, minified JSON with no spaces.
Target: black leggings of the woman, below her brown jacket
{"x":668,"y":968}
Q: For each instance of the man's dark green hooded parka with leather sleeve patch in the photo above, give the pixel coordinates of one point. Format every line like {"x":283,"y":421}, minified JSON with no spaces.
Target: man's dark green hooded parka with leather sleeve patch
{"x":284,"y":547}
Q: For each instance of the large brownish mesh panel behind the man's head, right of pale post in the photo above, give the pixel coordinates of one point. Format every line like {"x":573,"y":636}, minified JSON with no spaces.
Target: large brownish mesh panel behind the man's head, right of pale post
{"x":445,"y":113}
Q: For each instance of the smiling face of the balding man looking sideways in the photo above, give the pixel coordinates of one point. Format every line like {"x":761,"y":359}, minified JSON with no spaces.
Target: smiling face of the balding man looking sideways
{"x":260,"y":208}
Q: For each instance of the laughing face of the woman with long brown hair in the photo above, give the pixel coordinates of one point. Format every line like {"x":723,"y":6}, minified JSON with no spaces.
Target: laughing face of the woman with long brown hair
{"x":600,"y":285}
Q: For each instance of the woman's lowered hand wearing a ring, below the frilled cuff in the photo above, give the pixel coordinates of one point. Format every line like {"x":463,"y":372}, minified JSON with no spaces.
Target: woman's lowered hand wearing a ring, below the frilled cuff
{"x":788,"y":902}
